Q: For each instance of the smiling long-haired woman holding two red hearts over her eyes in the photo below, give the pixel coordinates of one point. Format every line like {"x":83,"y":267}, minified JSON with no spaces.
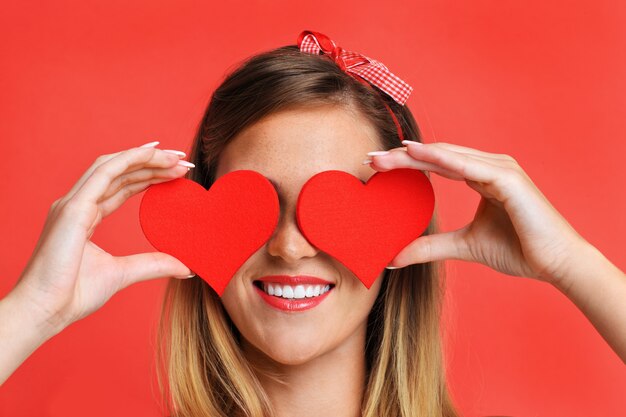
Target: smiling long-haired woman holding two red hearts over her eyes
{"x":288,"y":115}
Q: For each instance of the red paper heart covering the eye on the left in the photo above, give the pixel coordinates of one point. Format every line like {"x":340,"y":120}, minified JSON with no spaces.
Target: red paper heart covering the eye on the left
{"x":213,"y":232}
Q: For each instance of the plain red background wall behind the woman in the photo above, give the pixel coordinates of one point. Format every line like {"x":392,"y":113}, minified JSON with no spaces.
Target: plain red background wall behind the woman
{"x":542,"y":81}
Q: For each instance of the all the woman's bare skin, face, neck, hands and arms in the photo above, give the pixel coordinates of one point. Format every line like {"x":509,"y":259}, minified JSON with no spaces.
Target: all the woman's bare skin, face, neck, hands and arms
{"x":68,"y":277}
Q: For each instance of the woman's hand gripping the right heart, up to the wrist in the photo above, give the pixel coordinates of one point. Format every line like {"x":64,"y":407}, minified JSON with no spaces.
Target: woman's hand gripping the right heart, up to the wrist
{"x":515,"y":229}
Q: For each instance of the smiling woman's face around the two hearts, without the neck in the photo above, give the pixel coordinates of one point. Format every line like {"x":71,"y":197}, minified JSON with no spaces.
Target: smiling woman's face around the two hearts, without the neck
{"x":288,"y":148}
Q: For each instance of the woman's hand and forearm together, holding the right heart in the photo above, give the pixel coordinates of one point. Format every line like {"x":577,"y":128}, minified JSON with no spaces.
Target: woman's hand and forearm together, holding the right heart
{"x":530,"y":238}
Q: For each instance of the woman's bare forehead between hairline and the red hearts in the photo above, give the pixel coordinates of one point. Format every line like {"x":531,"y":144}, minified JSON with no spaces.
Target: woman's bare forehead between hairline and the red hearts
{"x":290,"y":146}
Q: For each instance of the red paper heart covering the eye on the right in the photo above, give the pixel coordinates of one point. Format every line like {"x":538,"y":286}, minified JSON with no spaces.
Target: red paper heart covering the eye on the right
{"x":365,"y":226}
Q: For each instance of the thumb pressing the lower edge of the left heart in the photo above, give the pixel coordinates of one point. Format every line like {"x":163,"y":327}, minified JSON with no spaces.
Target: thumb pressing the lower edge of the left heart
{"x":146,"y":266}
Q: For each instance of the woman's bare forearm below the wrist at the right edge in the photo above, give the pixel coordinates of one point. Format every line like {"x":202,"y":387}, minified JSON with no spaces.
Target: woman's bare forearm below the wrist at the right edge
{"x":598,"y":288}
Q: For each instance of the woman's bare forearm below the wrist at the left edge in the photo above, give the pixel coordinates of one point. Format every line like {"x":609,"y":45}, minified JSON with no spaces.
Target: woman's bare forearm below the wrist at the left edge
{"x":22,"y":331}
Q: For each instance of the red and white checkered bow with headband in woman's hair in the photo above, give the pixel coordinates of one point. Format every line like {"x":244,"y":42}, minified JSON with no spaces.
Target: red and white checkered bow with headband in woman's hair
{"x":359,"y":66}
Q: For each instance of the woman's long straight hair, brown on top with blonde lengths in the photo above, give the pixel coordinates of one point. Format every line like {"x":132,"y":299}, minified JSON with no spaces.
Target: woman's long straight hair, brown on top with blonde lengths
{"x":200,"y":366}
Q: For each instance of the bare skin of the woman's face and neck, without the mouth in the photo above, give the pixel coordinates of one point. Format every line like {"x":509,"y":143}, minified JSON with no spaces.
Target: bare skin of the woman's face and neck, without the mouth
{"x":304,"y":347}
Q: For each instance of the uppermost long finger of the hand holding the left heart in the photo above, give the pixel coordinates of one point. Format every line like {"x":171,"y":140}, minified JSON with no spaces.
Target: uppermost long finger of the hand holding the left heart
{"x":100,"y":181}
